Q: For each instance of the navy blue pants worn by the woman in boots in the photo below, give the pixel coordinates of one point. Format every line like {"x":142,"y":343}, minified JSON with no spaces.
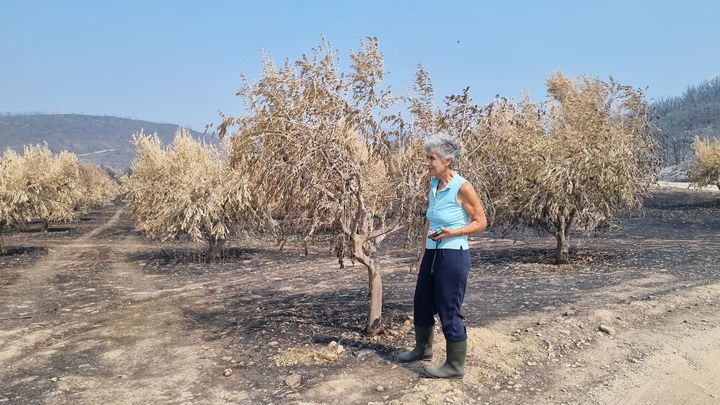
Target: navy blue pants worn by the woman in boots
{"x":442,"y":291}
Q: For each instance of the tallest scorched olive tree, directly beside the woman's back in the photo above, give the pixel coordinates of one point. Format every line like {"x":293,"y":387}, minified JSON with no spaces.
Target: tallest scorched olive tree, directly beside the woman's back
{"x":327,"y":154}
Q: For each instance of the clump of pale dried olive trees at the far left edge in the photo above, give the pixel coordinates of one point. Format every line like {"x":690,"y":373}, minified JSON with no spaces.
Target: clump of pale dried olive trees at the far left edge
{"x":51,"y":187}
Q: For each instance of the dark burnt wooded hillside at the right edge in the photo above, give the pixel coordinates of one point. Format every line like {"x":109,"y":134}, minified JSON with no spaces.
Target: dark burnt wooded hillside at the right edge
{"x":680,"y":119}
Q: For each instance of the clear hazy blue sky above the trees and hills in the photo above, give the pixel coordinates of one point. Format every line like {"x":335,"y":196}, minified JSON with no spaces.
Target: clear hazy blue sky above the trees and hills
{"x":181,"y":61}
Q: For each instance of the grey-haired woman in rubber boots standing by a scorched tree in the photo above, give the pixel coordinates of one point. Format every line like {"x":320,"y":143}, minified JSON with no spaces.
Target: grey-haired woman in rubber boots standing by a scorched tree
{"x":454,"y":212}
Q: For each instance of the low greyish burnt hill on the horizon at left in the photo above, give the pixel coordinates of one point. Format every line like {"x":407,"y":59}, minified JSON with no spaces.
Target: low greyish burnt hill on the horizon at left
{"x":100,"y":139}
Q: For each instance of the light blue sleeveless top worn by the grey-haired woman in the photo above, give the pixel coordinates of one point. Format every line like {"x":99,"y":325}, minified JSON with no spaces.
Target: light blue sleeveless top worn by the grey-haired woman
{"x":444,"y":210}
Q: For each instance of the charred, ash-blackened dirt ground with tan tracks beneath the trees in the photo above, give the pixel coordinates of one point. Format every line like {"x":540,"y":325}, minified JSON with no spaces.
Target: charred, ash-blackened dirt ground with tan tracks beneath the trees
{"x":91,"y":312}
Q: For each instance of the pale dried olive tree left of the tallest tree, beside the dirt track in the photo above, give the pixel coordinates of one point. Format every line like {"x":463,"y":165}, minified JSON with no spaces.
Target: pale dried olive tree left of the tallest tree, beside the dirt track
{"x":187,"y":188}
